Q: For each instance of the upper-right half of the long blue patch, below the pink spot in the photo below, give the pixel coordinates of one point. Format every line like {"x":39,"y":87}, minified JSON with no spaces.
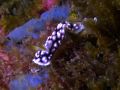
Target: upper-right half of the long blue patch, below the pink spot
{"x":58,"y":13}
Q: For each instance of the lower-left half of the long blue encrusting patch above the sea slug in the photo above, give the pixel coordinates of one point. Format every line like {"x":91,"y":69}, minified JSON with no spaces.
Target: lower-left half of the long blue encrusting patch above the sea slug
{"x":28,"y":29}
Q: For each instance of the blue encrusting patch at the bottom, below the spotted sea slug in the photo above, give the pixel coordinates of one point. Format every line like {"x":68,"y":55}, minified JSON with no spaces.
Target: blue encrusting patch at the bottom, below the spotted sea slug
{"x":28,"y":81}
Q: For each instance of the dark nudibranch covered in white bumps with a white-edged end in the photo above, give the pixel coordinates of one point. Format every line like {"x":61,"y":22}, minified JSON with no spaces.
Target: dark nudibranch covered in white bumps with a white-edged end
{"x":43,"y":57}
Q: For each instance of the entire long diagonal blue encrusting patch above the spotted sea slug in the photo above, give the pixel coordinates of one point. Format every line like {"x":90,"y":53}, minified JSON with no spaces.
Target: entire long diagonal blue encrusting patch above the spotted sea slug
{"x":33,"y":27}
